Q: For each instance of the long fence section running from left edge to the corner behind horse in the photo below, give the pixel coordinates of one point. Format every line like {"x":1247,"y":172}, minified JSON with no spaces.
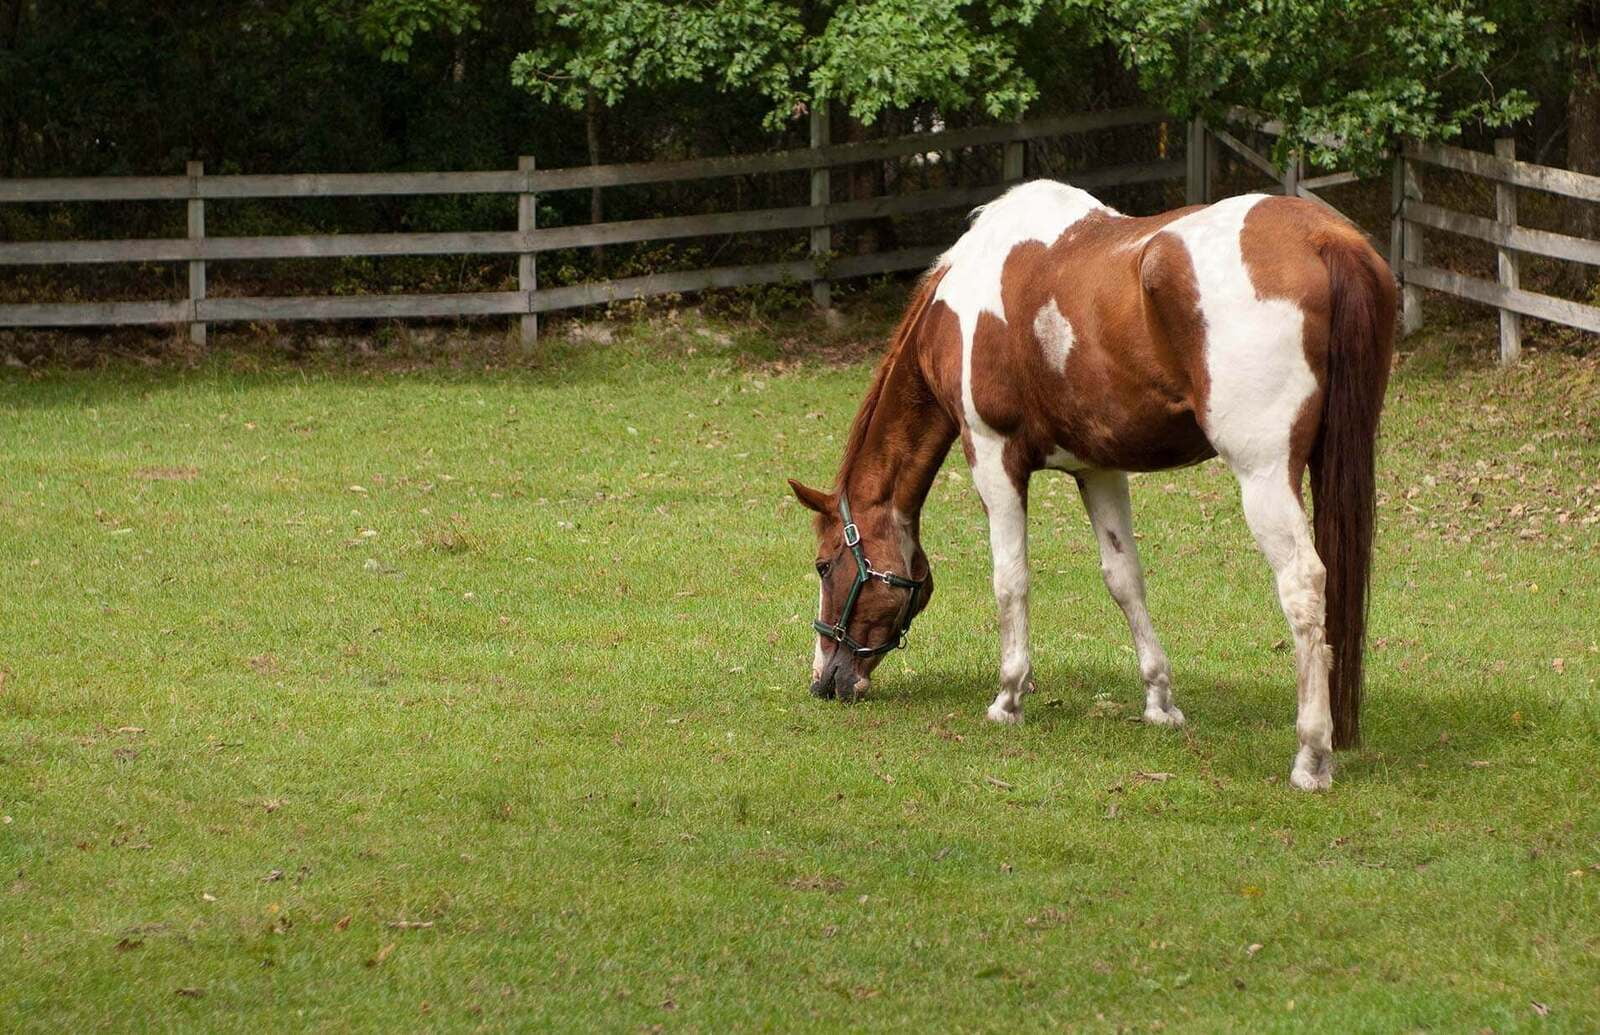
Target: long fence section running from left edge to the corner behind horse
{"x":527,"y":242}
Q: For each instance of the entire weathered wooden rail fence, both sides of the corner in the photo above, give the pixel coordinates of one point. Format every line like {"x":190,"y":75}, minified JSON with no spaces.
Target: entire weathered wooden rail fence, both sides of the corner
{"x":1206,"y":145}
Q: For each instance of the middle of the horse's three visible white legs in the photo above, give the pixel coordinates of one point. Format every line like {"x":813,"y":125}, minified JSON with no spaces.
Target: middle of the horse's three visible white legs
{"x":1106,"y":500}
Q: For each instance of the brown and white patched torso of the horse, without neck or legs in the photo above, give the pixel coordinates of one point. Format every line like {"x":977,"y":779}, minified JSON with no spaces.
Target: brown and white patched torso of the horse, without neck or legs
{"x":1095,"y":340}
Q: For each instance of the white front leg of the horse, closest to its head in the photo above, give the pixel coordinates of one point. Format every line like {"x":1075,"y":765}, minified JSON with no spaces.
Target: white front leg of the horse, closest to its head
{"x":1006,"y":500}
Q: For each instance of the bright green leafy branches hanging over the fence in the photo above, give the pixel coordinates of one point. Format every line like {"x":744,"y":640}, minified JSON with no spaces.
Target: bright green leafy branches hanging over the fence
{"x":1345,"y":76}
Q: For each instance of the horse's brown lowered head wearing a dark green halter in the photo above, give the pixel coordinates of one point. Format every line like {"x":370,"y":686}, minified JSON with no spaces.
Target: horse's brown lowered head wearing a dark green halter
{"x":876,"y":580}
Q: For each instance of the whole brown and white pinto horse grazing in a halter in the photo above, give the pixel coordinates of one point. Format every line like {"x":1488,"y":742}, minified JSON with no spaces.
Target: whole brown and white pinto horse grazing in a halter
{"x":1063,"y":335}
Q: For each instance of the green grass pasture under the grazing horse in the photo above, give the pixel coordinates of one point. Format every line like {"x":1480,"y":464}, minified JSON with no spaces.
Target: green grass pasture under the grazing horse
{"x":374,"y":693}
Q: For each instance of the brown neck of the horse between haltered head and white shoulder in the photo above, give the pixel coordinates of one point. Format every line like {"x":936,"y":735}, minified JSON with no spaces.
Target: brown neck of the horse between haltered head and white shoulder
{"x":906,"y":442}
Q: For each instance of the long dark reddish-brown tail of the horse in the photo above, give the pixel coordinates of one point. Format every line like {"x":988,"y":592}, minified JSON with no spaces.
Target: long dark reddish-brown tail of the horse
{"x":1361,"y":350}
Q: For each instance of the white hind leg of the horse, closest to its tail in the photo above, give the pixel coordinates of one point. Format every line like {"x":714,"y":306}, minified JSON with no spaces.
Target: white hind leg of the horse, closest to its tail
{"x":1278,"y":519}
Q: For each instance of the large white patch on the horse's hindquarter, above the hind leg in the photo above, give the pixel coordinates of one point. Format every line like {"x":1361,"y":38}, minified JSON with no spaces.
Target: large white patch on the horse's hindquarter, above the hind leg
{"x":1254,"y":346}
